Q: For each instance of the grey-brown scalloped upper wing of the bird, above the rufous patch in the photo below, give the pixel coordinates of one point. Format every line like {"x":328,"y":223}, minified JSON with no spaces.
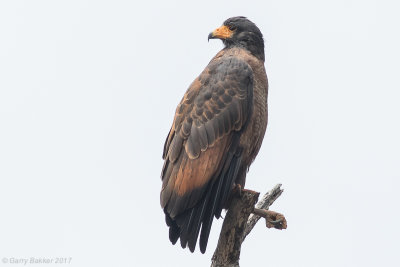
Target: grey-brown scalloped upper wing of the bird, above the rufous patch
{"x":216,"y":103}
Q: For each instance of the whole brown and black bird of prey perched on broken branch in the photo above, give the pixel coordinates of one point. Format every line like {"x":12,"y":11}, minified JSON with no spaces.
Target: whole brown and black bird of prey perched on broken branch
{"x":216,"y":134}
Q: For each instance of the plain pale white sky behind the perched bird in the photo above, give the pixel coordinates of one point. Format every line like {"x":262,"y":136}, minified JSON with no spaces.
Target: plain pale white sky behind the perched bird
{"x":88,"y":90}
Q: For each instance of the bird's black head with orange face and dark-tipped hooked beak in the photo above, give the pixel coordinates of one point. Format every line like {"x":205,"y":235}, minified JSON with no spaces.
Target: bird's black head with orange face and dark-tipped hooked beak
{"x":239,"y":31}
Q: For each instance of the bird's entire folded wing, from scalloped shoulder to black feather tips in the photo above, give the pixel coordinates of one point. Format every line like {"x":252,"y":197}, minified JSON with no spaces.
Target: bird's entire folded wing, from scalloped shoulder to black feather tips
{"x":201,"y":152}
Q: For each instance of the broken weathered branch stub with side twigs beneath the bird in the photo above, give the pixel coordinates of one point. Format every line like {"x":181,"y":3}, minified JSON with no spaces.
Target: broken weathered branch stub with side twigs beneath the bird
{"x":238,"y":223}
